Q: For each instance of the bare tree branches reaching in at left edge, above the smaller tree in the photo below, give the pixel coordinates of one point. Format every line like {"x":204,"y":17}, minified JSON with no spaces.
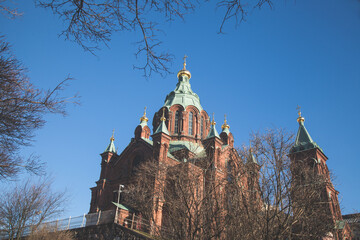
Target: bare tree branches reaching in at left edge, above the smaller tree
{"x":22,"y":108}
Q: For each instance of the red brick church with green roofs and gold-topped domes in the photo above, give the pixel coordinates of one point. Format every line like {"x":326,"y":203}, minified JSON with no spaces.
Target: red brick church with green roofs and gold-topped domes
{"x":183,"y":130}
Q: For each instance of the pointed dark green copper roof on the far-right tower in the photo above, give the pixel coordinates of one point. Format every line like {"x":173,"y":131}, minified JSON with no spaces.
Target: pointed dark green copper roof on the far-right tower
{"x":303,"y":140}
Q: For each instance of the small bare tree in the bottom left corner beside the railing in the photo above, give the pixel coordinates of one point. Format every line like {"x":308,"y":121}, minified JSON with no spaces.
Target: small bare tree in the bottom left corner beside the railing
{"x":29,"y":204}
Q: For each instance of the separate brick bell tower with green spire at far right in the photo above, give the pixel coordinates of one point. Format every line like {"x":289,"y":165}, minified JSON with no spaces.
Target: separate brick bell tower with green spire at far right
{"x":309,"y":168}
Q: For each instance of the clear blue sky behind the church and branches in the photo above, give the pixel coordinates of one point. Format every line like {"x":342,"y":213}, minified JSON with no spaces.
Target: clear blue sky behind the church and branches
{"x":299,"y":53}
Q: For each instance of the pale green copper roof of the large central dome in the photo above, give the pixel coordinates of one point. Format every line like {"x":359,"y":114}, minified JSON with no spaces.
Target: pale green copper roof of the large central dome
{"x":183,"y":95}
